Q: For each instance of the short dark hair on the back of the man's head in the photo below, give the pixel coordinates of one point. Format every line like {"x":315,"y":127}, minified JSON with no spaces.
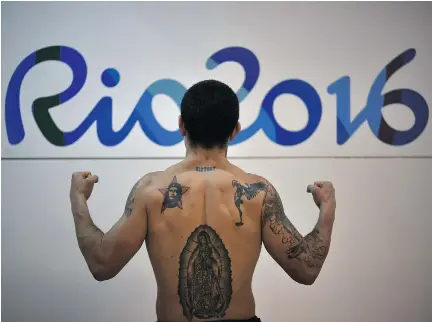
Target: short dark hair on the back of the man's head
{"x":210,"y":112}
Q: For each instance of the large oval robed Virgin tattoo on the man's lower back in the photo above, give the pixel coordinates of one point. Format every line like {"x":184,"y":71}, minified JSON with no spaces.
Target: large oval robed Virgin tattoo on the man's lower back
{"x":205,"y":281}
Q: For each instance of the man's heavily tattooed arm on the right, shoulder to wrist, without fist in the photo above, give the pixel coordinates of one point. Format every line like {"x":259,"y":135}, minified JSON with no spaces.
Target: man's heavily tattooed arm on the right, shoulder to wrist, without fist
{"x":301,"y":257}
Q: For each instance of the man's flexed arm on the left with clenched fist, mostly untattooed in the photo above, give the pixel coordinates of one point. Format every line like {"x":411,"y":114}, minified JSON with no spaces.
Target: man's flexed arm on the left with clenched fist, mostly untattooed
{"x":107,"y":253}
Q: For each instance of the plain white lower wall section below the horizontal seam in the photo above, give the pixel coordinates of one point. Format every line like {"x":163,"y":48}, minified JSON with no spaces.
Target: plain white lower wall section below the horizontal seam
{"x":378,"y":268}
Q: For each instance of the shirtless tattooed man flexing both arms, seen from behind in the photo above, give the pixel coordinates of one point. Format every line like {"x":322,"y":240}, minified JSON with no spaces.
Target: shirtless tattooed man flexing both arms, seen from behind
{"x":204,"y":221}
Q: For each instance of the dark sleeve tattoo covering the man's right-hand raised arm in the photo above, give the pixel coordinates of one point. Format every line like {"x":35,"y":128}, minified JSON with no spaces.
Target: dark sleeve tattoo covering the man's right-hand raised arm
{"x":311,"y":249}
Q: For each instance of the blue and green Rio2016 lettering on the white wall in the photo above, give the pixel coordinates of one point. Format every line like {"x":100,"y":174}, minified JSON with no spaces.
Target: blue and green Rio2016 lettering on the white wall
{"x":143,"y":114}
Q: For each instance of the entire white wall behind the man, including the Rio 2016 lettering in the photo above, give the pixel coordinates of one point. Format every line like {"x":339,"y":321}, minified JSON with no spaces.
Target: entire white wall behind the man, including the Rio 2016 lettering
{"x":329,"y":91}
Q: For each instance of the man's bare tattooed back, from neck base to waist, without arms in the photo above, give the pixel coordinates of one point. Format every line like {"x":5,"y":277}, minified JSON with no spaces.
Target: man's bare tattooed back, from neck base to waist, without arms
{"x":204,"y":240}
